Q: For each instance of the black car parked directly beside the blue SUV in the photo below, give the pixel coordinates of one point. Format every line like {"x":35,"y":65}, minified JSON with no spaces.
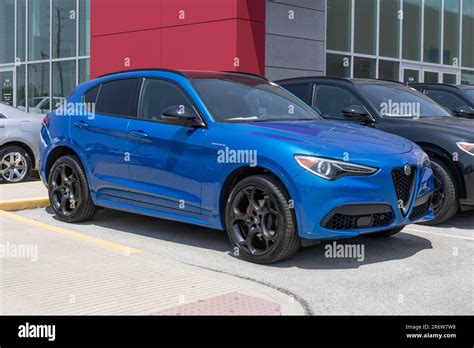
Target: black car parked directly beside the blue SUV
{"x":396,"y":108}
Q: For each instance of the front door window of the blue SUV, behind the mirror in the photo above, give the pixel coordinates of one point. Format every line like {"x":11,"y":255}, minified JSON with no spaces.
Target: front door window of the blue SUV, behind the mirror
{"x":159,"y":95}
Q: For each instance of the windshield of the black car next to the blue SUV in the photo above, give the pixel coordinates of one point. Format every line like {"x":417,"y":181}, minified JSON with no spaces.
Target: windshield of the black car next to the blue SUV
{"x":401,"y":101}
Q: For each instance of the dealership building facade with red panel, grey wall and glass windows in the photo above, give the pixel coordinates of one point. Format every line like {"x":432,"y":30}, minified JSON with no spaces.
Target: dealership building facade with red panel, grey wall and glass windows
{"x":49,"y":46}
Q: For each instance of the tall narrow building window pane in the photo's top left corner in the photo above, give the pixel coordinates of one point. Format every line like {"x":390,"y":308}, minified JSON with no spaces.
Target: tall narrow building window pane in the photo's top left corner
{"x":7,"y":24}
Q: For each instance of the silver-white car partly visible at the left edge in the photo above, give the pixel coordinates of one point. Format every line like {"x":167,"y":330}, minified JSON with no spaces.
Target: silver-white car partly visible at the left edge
{"x":19,"y":143}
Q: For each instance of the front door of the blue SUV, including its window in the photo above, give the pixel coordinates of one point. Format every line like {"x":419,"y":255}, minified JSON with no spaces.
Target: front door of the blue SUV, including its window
{"x":166,"y":164}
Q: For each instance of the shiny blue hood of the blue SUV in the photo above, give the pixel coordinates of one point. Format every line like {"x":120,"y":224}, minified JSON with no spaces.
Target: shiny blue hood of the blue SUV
{"x":332,"y":135}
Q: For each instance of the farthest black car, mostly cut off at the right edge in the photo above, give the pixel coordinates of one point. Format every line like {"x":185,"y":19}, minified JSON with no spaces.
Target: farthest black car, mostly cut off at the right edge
{"x":459,"y":99}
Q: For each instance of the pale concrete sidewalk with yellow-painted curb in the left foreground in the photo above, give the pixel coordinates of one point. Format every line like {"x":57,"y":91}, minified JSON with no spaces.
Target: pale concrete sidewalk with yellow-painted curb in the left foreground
{"x":56,"y":270}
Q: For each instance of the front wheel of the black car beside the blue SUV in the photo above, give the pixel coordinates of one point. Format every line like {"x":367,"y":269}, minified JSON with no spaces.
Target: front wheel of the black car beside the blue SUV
{"x":448,"y":204}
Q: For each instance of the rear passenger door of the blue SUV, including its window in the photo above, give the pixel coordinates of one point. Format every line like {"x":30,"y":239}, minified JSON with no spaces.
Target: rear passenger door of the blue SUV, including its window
{"x":103,"y":137}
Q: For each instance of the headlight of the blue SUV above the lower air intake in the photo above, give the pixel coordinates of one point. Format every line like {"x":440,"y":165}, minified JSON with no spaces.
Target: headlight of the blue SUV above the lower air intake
{"x":332,"y":169}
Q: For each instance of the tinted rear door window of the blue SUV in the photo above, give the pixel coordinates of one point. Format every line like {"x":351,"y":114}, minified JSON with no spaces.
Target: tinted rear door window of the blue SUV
{"x":116,"y":97}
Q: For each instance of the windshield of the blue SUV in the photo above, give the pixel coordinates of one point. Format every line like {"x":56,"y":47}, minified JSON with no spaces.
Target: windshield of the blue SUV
{"x":250,"y":100}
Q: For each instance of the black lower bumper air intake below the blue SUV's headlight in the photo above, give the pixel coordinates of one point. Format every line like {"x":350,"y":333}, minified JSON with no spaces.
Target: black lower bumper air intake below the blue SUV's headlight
{"x":350,"y":222}
